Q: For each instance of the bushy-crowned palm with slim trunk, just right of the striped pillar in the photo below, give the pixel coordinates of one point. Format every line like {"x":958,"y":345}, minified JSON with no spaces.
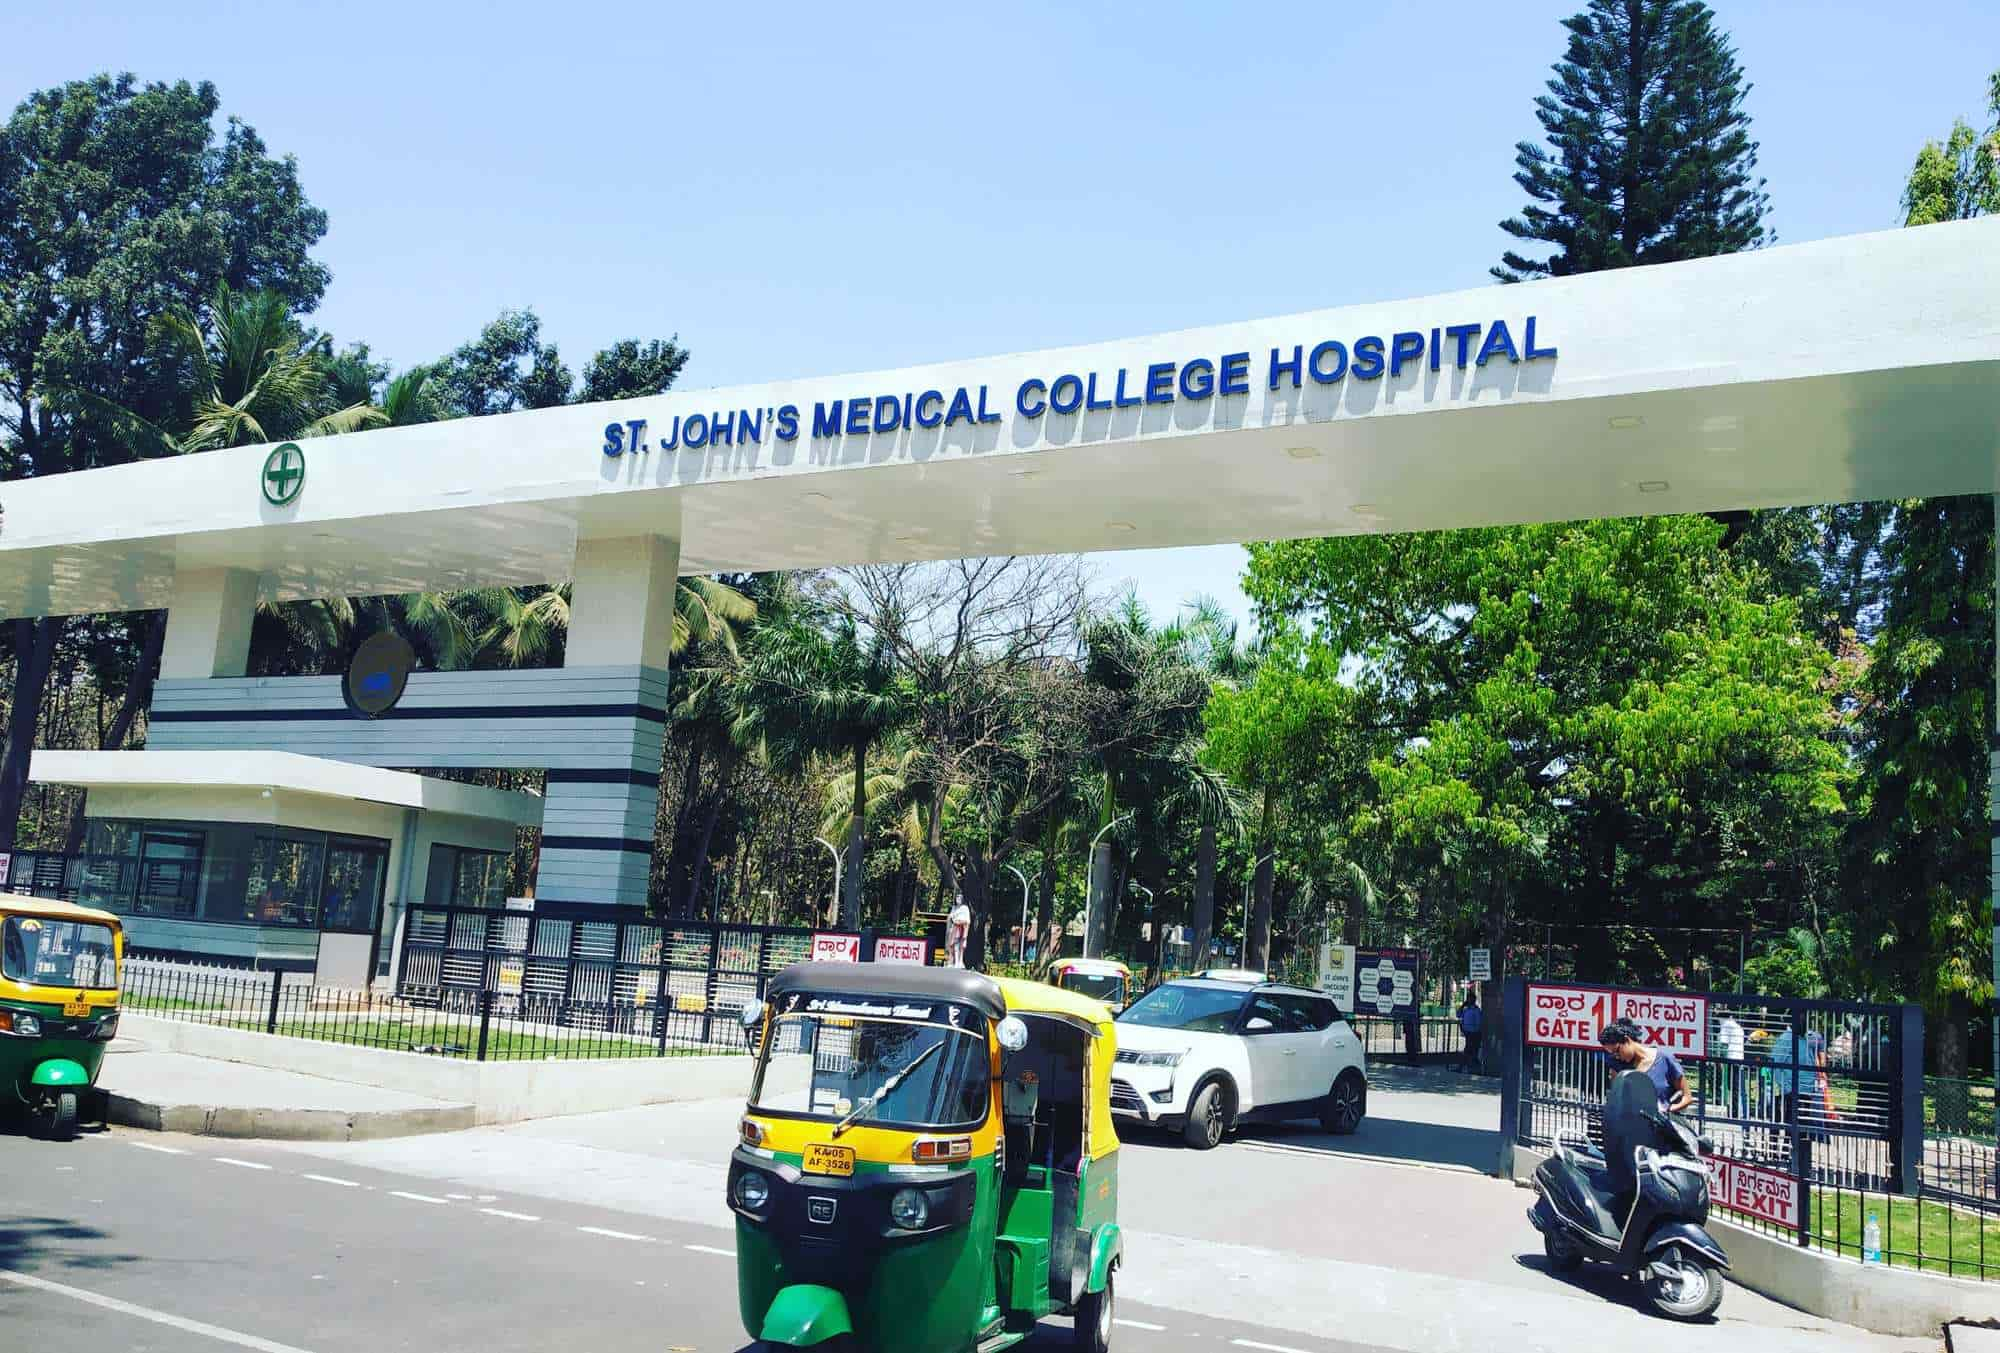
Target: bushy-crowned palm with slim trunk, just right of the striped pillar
{"x":815,"y":688}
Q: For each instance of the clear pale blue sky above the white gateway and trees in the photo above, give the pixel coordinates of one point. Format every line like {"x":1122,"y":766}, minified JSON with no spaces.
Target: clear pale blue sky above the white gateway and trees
{"x":817,"y":189}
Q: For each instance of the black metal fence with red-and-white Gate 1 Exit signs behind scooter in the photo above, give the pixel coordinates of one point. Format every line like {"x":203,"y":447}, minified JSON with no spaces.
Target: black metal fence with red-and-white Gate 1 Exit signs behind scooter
{"x":1823,"y":1124}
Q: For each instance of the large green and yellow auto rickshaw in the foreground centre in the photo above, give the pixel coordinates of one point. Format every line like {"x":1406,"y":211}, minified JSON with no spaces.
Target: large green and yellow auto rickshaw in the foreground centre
{"x":927,"y":1162}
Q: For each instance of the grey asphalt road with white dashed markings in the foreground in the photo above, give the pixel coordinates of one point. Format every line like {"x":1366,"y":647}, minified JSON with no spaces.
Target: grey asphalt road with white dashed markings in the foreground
{"x":195,"y":1246}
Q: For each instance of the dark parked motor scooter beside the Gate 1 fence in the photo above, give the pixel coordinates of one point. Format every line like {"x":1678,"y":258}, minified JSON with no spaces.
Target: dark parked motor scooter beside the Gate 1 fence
{"x":1645,"y":1222}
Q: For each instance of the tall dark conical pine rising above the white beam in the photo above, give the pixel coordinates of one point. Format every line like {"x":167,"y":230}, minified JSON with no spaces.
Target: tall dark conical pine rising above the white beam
{"x":1649,"y":147}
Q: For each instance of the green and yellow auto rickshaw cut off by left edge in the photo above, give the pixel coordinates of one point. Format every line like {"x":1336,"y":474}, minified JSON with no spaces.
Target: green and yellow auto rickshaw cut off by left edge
{"x":59,"y":1004}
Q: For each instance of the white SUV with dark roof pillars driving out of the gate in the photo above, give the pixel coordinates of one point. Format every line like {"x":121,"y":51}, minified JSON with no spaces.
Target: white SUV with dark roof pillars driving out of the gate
{"x":1203,"y":1056}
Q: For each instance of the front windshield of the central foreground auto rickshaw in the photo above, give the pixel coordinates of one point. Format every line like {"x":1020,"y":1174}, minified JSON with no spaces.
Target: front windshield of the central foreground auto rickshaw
{"x":877,"y":1072}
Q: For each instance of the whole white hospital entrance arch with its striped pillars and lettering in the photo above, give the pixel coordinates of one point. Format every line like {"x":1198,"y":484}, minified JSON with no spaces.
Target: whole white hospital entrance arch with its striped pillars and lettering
{"x":1849,"y":369}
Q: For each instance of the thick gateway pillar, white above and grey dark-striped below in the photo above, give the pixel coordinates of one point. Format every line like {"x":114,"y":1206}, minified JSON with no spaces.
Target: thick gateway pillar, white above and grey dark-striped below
{"x":599,"y":822}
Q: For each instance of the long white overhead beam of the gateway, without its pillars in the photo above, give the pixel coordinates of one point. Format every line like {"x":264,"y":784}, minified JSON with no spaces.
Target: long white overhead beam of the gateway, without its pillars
{"x":1849,"y":369}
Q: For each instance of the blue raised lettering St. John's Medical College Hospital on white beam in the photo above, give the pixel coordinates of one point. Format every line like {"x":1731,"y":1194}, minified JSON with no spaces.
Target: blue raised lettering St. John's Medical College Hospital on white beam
{"x":1325,"y":361}
